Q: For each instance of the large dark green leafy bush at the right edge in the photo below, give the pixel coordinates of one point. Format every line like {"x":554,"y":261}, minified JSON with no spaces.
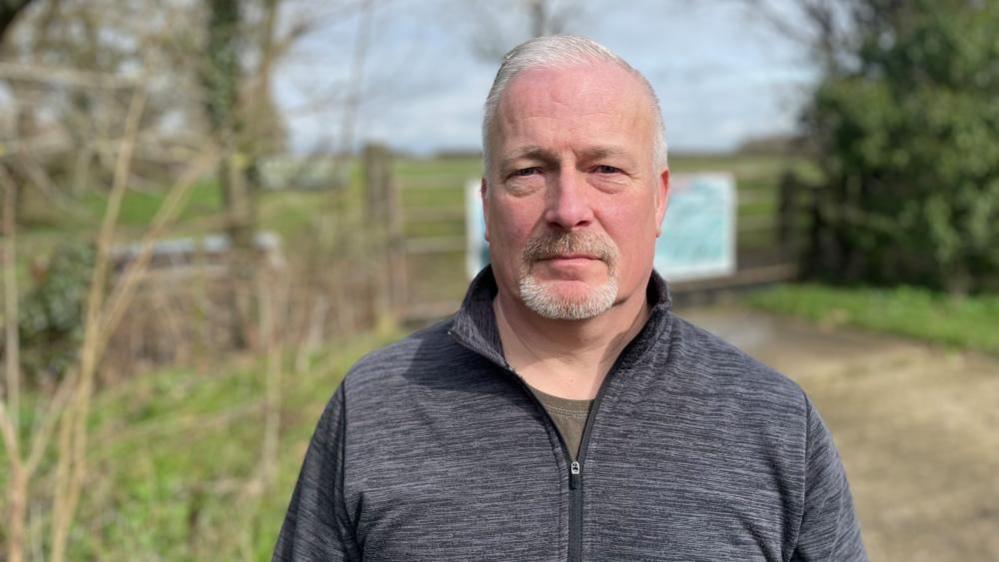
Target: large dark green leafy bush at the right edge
{"x":909,"y":145}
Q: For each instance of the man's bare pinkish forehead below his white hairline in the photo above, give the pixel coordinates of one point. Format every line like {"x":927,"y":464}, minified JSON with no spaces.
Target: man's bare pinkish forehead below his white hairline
{"x":598,"y":100}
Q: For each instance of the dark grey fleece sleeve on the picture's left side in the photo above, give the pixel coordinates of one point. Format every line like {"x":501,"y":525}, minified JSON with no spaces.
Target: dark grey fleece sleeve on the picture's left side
{"x":317,"y":526}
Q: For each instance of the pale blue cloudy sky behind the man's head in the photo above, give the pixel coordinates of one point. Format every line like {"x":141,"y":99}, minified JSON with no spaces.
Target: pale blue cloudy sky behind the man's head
{"x":721,"y":73}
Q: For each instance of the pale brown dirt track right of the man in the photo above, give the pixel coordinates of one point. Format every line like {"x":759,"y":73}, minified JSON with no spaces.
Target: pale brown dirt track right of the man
{"x":917,"y":427}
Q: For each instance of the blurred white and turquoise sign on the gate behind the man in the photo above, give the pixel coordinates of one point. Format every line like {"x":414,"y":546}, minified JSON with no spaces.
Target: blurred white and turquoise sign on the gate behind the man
{"x":698,"y":239}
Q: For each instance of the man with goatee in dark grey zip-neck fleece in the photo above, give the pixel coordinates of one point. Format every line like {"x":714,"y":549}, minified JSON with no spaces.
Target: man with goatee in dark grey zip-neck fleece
{"x":564,"y":412}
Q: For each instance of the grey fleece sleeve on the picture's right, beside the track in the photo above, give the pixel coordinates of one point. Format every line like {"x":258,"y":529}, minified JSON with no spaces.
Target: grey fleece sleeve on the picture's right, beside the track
{"x":829,"y":526}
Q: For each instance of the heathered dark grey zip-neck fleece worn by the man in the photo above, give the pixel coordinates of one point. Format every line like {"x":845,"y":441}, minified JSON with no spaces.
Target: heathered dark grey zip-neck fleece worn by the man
{"x":432,"y":450}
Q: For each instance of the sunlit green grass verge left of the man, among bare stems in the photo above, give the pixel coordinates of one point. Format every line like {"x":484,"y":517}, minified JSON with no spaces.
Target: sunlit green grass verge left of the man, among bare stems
{"x":170,"y":453}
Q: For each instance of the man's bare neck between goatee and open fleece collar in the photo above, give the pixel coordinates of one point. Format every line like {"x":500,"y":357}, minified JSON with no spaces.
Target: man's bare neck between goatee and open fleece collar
{"x":566,"y":358}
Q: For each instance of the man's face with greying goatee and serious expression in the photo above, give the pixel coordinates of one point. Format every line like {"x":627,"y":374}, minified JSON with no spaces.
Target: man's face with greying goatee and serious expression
{"x":573,"y":201}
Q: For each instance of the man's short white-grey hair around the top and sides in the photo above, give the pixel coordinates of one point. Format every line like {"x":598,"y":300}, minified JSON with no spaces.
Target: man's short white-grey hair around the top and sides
{"x":564,"y":51}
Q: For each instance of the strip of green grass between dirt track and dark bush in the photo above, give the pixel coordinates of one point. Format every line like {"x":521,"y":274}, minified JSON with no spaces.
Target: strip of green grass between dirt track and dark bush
{"x":970,"y":322}
